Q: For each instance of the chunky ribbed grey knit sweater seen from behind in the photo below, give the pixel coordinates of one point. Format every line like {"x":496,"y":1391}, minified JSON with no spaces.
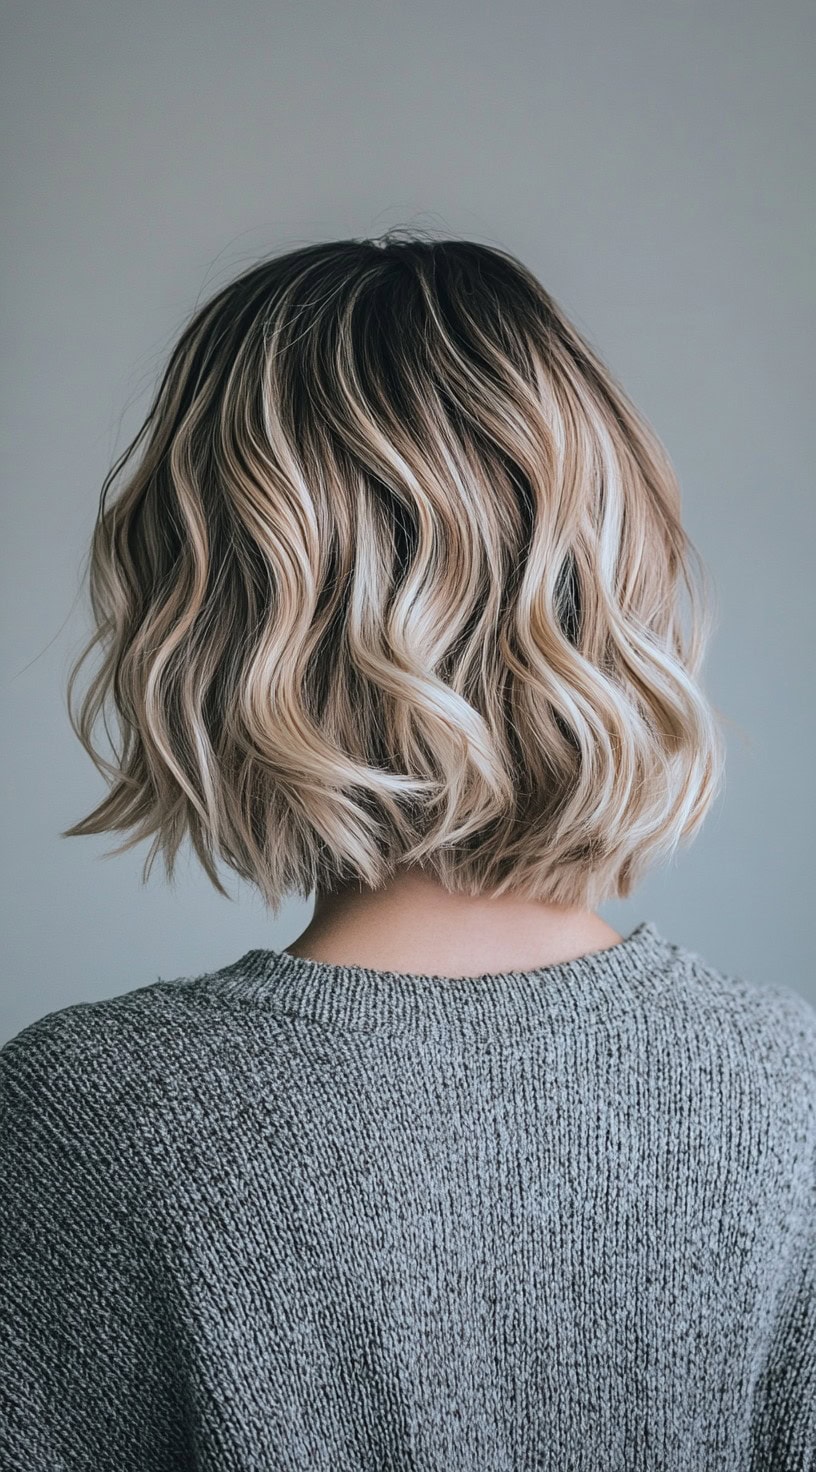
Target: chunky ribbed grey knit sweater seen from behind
{"x":292,"y":1215}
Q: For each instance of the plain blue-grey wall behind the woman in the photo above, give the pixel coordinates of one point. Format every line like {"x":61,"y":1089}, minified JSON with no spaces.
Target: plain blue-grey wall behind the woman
{"x":650,"y":163}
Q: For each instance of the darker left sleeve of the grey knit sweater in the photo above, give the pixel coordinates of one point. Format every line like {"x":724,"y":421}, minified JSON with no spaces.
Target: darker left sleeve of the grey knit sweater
{"x":86,"y":1358}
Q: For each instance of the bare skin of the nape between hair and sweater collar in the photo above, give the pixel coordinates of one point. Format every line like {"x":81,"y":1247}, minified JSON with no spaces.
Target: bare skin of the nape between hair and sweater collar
{"x":415,"y":925}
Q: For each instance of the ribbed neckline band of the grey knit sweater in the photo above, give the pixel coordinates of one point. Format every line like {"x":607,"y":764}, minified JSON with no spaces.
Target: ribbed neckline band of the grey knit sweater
{"x":370,"y":1000}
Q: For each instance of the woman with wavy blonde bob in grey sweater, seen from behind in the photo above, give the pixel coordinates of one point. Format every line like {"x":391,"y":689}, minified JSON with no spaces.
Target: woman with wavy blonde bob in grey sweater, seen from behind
{"x":391,"y":609}
